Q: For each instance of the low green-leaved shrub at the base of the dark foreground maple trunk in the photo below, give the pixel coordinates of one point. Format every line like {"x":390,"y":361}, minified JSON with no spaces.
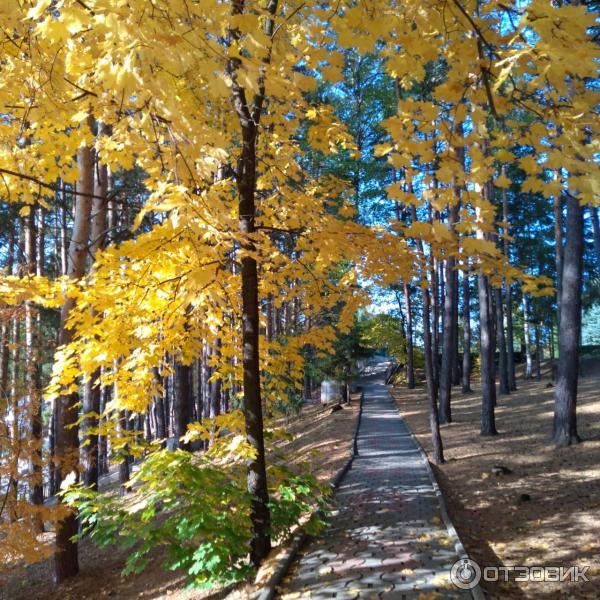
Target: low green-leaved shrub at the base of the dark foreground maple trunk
{"x":197,"y":507}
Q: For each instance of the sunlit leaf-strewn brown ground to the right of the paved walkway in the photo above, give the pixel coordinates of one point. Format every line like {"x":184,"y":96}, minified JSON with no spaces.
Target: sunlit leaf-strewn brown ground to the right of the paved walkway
{"x":546,"y":510}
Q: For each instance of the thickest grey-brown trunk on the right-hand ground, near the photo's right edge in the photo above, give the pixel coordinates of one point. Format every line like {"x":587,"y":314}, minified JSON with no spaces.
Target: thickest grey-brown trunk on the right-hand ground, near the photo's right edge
{"x":565,"y":407}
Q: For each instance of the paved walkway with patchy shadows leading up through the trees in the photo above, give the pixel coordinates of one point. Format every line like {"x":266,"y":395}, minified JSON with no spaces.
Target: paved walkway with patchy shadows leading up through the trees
{"x":387,"y":538}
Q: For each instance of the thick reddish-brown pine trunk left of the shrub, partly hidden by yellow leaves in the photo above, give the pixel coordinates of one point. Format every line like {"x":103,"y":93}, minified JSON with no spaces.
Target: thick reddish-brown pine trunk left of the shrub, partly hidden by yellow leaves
{"x":66,"y":562}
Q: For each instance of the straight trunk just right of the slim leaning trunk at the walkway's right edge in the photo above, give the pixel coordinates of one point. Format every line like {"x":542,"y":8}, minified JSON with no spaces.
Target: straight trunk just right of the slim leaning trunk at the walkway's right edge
{"x":449,"y":341}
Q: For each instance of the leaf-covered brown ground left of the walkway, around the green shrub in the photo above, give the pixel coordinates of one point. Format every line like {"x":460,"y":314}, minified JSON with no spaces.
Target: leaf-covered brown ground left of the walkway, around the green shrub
{"x":320,"y":437}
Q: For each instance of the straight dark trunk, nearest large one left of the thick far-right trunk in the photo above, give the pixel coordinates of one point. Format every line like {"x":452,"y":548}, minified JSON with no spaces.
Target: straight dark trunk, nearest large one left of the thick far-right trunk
{"x":486,"y":345}
